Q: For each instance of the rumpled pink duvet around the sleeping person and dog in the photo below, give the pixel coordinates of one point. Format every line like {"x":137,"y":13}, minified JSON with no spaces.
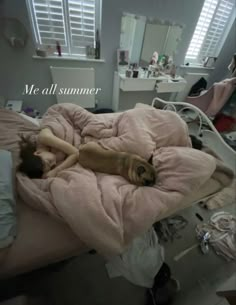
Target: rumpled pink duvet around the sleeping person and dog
{"x":105,"y":211}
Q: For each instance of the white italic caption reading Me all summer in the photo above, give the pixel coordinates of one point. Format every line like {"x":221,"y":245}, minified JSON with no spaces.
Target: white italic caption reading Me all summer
{"x":53,"y":89}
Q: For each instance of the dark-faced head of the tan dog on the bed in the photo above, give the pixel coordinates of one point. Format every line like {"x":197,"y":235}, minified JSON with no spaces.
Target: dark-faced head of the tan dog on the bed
{"x":143,"y":173}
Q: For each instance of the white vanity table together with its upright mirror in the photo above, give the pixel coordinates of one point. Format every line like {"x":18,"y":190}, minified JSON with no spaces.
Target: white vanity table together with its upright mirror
{"x":140,"y":37}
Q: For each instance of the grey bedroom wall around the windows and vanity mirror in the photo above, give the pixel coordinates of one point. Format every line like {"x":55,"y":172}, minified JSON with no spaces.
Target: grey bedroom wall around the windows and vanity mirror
{"x":17,"y":66}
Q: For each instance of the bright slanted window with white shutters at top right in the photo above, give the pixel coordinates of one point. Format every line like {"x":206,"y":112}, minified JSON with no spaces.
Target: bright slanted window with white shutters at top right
{"x":214,"y":23}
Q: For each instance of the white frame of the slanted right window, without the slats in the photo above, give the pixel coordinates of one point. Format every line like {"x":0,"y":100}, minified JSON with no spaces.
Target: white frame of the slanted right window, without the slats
{"x":198,"y":59}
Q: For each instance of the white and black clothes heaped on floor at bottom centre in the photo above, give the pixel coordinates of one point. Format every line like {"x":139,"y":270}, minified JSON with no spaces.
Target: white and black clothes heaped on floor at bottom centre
{"x":143,"y":264}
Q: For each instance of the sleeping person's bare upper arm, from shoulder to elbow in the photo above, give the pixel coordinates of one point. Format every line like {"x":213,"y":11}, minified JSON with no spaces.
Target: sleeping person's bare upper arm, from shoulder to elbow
{"x":47,"y":138}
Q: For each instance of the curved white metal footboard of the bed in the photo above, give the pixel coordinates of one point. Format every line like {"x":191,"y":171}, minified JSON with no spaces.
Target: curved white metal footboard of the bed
{"x":201,"y":126}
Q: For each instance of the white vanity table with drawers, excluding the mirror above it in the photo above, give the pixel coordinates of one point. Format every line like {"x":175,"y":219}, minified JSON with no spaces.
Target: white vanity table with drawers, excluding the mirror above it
{"x":160,"y":84}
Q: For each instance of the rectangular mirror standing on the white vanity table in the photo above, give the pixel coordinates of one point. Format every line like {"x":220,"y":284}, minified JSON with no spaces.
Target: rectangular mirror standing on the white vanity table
{"x":142,"y":36}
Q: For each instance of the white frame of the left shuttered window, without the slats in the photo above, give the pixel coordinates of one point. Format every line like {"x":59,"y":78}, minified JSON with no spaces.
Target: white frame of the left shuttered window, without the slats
{"x":69,"y":49}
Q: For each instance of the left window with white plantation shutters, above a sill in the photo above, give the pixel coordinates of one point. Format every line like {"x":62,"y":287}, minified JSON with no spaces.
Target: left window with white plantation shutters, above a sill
{"x":73,"y":23}
